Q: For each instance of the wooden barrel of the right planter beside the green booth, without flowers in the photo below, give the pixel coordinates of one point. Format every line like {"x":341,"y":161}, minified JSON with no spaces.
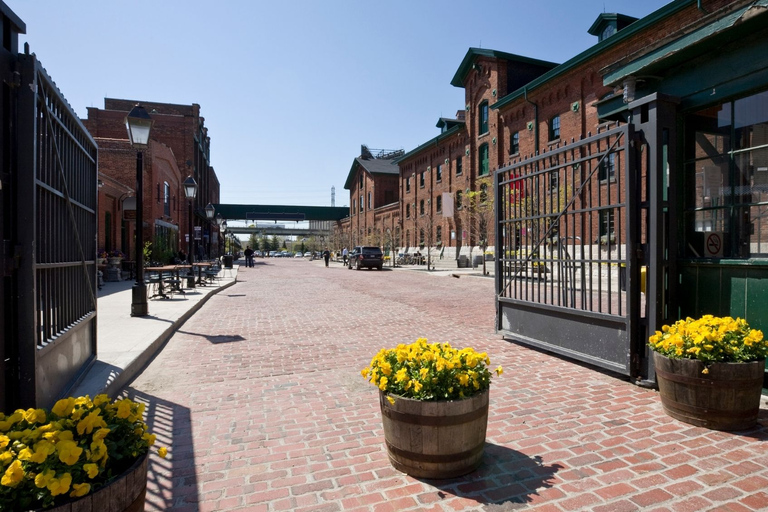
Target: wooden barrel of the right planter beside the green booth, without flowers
{"x":726,"y":398}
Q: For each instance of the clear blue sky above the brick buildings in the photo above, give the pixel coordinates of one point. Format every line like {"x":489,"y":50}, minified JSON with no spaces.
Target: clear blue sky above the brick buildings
{"x":290,"y":90}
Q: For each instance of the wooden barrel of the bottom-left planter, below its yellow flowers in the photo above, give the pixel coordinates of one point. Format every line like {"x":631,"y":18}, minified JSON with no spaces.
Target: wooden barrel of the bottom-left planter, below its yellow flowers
{"x":124,"y":494}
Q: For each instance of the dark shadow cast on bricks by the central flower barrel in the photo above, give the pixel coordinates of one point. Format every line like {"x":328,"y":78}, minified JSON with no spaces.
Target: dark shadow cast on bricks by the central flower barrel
{"x":520,"y":477}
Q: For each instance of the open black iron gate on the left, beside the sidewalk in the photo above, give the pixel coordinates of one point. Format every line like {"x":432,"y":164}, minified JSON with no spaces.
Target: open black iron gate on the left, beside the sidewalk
{"x":50,"y":288}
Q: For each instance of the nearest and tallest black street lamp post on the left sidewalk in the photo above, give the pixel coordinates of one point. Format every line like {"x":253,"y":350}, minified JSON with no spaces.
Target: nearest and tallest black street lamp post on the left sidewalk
{"x":139,"y":125}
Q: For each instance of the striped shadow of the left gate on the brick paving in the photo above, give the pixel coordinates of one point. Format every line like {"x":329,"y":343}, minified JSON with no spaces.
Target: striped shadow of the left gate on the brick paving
{"x":171,"y":482}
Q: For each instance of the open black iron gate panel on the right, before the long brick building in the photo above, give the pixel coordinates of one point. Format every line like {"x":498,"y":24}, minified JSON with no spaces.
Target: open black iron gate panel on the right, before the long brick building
{"x":565,"y":221}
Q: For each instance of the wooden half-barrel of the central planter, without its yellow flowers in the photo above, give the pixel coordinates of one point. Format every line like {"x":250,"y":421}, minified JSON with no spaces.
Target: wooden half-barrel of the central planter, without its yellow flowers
{"x":443,"y":439}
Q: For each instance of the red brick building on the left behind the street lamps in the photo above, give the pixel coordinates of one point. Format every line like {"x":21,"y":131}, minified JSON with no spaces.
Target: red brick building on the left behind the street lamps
{"x":180,"y":147}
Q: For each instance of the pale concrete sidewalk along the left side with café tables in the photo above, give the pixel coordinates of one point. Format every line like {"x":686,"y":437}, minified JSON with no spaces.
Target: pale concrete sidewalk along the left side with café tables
{"x":125,"y":343}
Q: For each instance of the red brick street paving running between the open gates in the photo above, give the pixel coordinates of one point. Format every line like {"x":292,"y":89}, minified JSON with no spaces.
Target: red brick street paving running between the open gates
{"x":260,"y":401}
